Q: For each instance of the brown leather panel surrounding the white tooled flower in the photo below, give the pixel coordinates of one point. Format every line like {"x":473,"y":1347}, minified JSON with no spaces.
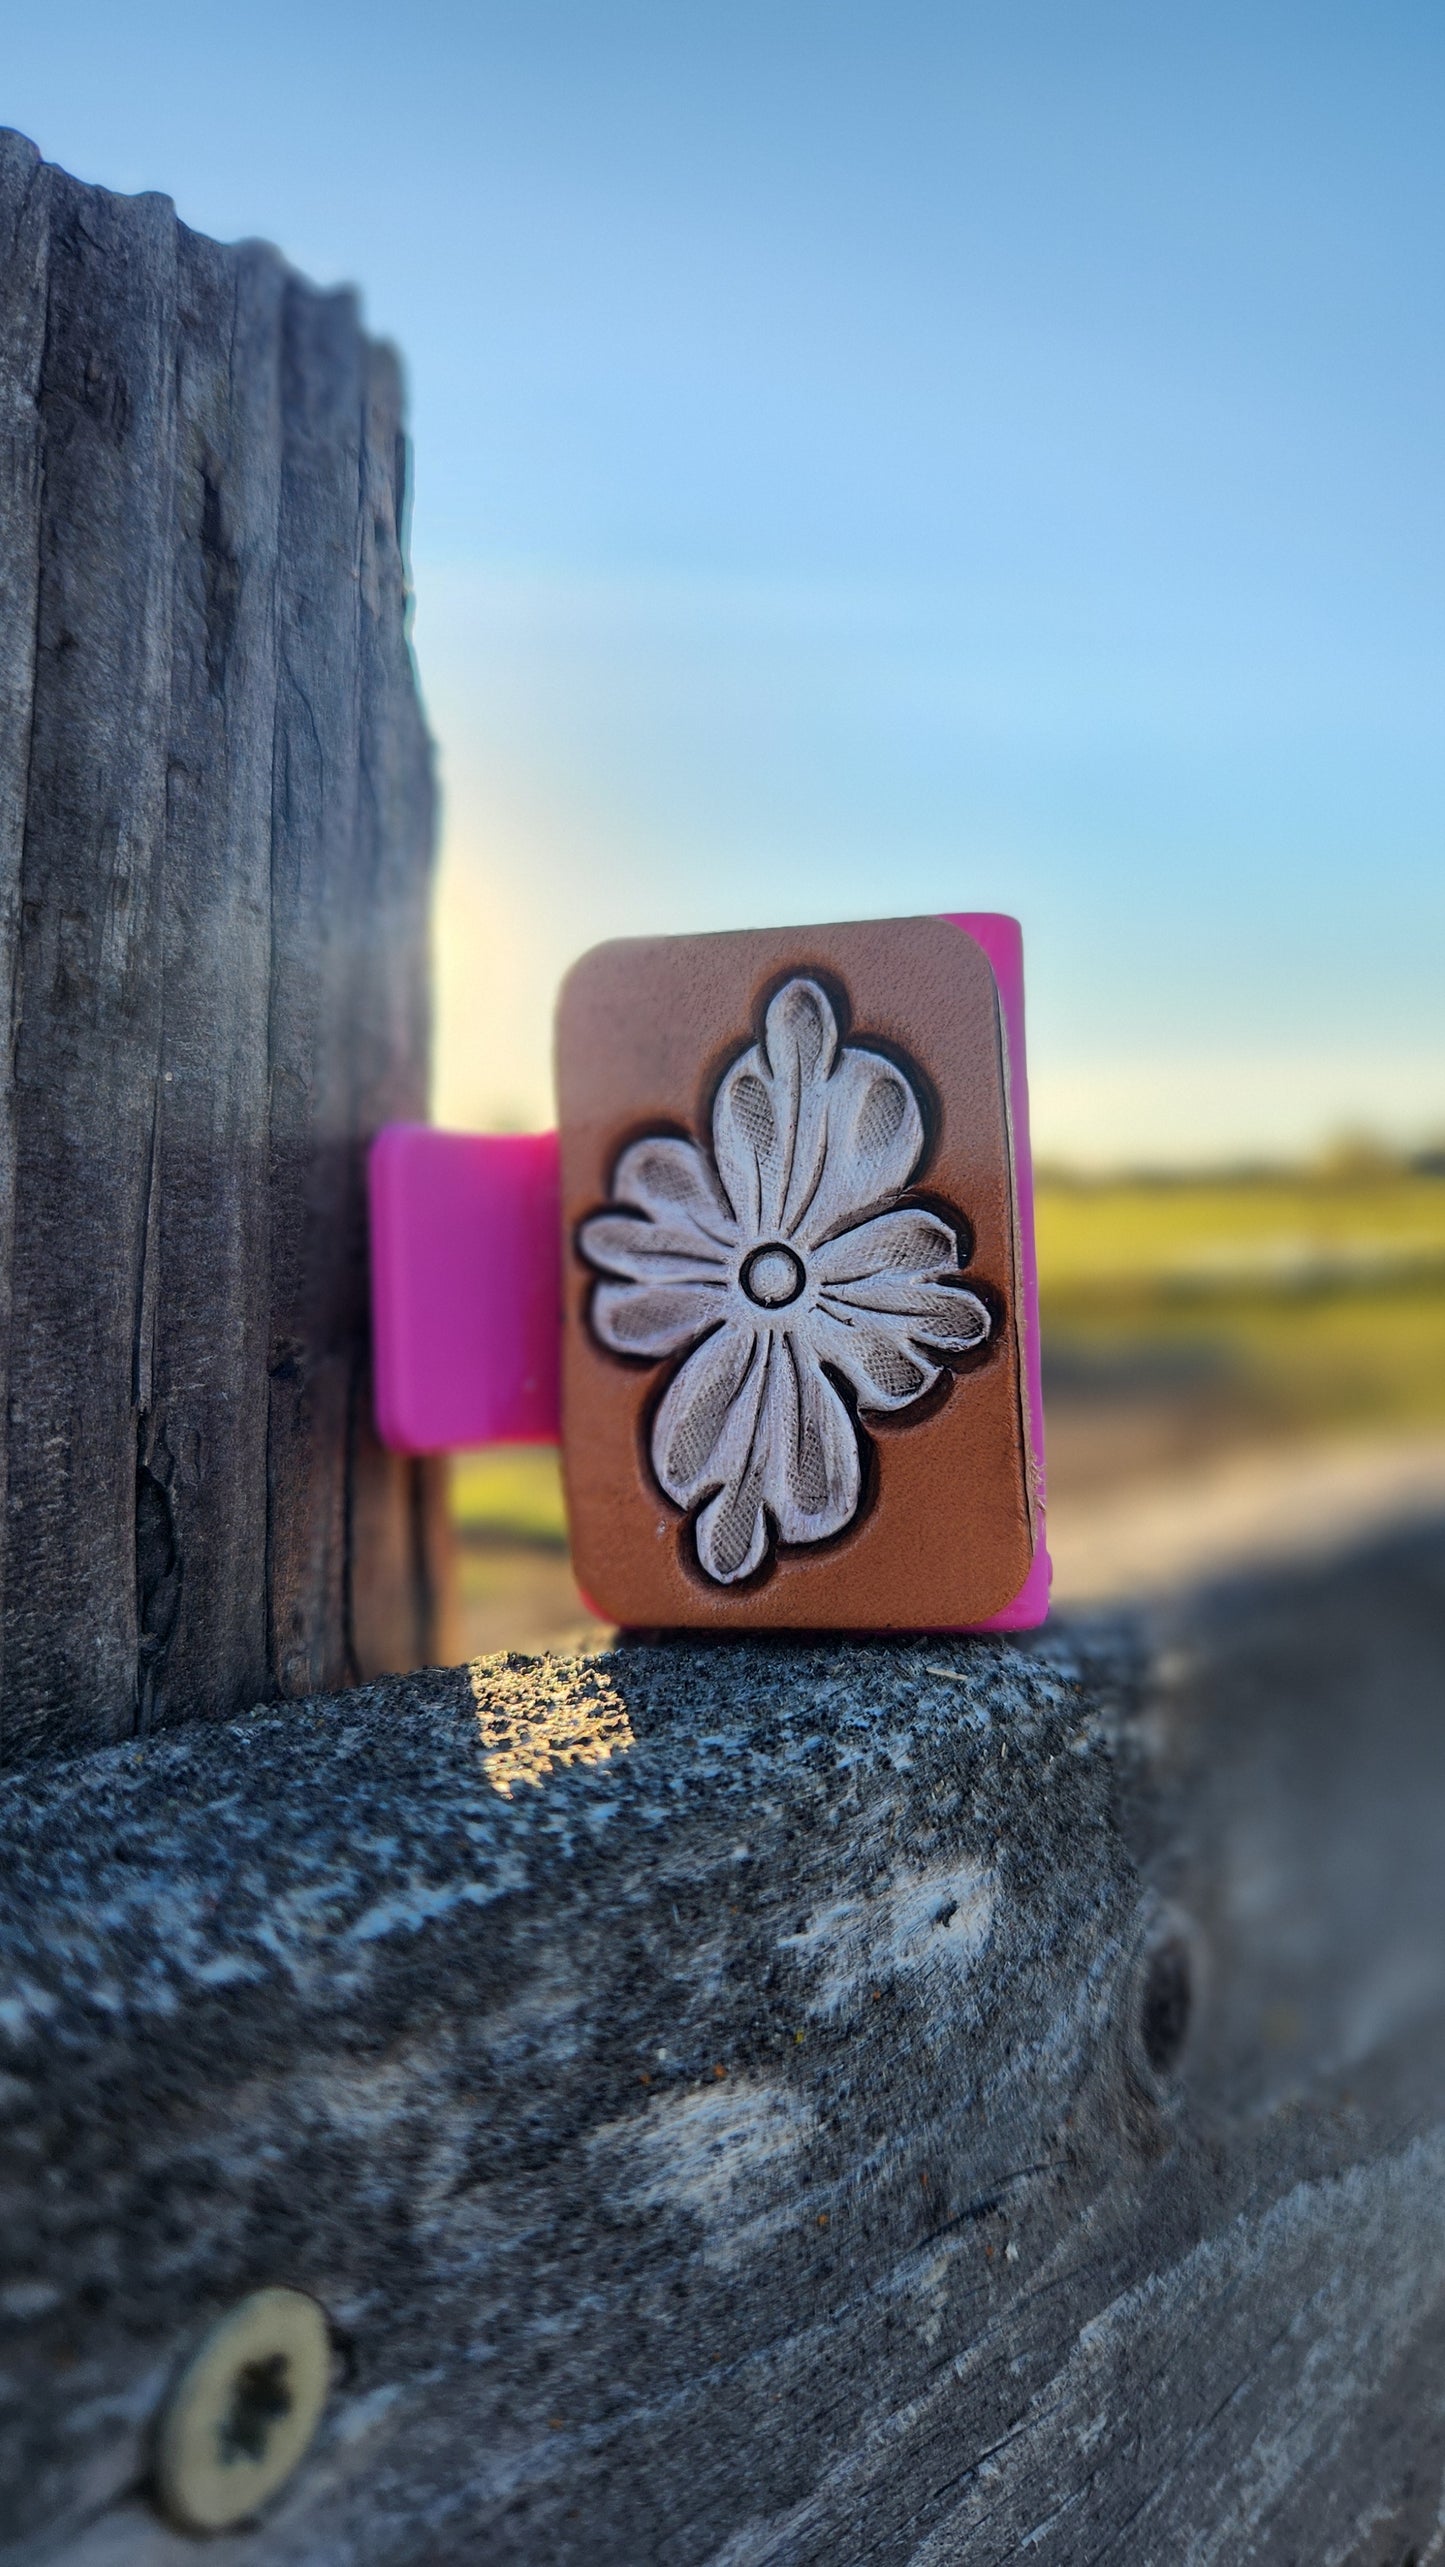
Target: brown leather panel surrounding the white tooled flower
{"x":643,"y":1036}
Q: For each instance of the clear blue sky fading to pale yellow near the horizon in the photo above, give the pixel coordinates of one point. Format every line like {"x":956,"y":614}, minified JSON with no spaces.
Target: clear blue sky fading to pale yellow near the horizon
{"x":889,"y":458}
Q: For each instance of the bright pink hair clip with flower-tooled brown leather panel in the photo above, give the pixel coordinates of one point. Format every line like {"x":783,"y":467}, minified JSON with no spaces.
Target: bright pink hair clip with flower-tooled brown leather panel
{"x":771,"y":1285}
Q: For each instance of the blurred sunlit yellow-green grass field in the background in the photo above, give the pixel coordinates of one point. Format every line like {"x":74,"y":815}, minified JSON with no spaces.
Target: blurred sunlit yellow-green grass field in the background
{"x":1303,"y":1303}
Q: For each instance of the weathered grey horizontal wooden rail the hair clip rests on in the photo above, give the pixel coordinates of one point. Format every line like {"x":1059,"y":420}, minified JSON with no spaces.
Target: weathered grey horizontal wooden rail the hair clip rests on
{"x":764,"y":2104}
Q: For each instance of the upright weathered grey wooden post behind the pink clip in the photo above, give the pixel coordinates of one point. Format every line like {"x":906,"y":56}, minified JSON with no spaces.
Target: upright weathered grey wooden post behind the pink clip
{"x":214,"y":874}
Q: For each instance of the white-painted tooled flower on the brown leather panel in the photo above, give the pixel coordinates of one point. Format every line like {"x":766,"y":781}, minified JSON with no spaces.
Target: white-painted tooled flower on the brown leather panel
{"x":787,"y":1267}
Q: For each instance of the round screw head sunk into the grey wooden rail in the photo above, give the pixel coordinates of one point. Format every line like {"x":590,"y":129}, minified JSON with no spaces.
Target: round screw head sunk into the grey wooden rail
{"x":243,"y":2412}
